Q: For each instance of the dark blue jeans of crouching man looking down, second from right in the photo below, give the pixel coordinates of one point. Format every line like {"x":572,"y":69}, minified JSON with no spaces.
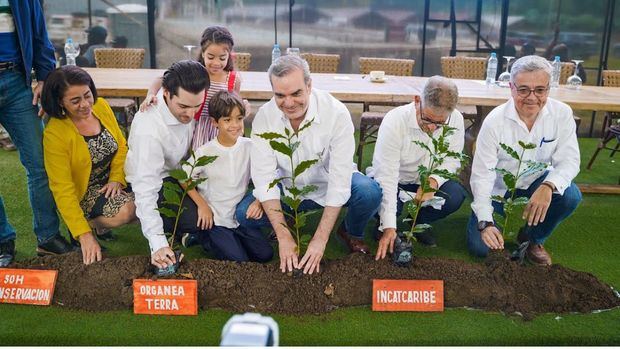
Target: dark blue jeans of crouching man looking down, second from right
{"x":452,"y":191}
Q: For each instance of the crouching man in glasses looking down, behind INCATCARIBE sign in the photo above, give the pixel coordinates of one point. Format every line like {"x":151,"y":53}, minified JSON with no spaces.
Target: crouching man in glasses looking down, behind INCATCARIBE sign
{"x":396,"y":158}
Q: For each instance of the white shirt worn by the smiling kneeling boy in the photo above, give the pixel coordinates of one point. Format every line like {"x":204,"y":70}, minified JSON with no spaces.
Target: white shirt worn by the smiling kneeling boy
{"x":227,"y":178}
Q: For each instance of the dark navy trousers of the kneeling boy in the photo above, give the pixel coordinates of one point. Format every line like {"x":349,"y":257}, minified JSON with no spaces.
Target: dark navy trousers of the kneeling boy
{"x":239,"y":244}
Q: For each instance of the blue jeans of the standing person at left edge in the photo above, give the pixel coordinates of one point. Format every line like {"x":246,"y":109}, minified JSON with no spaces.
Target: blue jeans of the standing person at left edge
{"x":19,"y":118}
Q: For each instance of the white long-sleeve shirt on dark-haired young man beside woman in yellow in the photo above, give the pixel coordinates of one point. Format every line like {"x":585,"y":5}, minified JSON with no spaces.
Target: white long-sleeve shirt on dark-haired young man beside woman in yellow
{"x":157,"y":142}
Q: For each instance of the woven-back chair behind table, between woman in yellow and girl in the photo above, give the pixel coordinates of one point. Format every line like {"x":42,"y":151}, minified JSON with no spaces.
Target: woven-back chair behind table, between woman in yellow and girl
{"x":128,"y":58}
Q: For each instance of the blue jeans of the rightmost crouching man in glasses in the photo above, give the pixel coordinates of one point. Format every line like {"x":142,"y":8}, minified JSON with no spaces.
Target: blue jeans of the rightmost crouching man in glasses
{"x":560,"y":208}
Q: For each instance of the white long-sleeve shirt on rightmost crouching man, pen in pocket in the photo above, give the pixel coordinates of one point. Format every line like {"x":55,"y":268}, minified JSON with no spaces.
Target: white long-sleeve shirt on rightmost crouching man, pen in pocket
{"x":556,"y":144}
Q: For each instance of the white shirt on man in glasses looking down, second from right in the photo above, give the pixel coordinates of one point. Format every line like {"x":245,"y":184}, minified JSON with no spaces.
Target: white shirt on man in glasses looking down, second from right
{"x":396,"y":157}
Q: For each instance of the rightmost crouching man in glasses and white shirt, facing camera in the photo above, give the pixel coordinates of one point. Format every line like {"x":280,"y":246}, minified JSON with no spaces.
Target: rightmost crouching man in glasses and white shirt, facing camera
{"x":531,"y":117}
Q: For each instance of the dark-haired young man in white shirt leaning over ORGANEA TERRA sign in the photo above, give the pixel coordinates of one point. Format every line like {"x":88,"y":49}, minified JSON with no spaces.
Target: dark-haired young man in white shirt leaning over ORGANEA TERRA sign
{"x":159,"y":139}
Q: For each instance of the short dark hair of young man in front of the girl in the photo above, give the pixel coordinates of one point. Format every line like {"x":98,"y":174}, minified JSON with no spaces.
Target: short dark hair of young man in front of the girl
{"x":188,"y":75}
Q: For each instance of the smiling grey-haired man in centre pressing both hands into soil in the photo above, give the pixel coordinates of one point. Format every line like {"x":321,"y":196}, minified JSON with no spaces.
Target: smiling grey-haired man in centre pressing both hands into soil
{"x":330,"y":138}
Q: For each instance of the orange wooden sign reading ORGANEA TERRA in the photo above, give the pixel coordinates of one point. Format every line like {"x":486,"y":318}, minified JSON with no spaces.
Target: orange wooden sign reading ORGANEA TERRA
{"x":165,"y":297}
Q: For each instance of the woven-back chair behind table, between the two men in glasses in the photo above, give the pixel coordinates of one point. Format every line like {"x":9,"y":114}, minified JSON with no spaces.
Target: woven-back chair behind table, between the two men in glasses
{"x":473,"y":68}
